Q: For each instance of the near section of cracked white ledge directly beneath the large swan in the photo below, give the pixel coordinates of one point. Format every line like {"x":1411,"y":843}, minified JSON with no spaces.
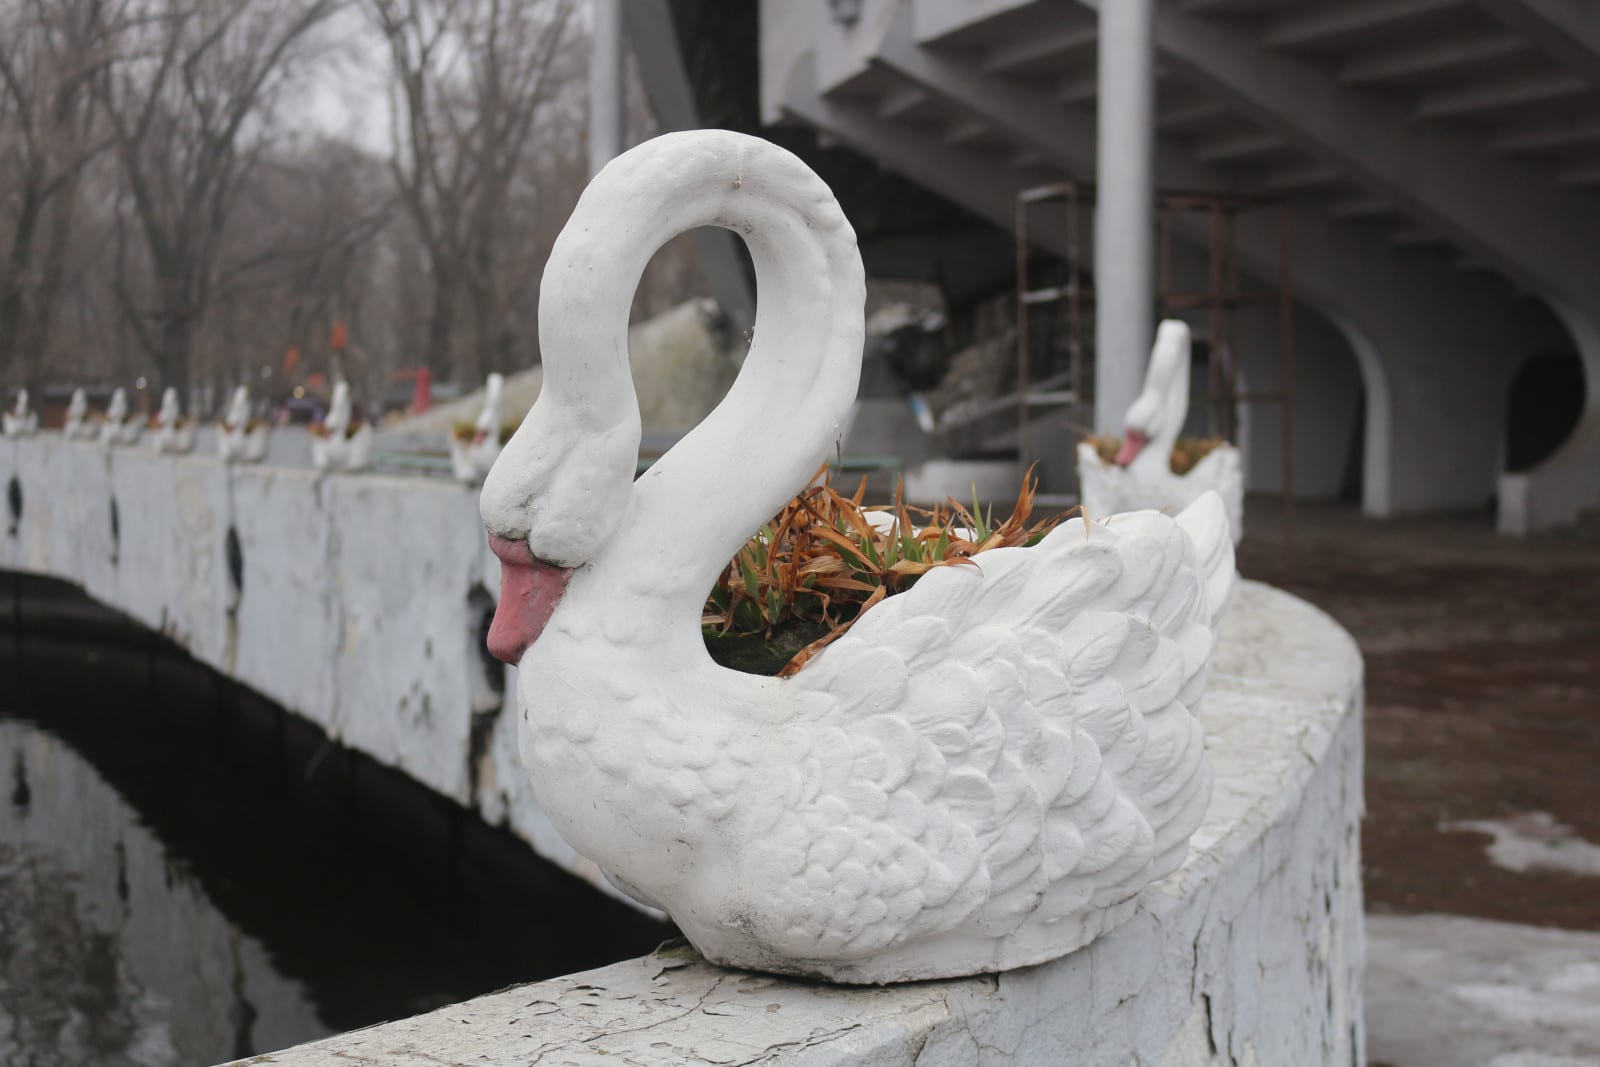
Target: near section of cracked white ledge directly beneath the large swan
{"x":1252,"y":954}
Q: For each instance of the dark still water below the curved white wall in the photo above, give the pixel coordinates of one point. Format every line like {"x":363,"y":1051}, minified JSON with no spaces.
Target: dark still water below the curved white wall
{"x":182,"y":882}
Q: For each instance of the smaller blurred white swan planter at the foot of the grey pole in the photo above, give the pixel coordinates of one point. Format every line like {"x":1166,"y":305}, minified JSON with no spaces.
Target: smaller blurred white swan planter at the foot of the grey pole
{"x":1142,"y":474}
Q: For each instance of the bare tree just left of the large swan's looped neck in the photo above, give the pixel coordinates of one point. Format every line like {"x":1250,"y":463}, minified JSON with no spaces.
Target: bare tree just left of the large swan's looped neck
{"x":471,"y":79}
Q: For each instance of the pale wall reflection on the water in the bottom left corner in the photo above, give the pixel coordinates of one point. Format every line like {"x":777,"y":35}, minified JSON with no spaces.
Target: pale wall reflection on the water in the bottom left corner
{"x":110,"y":954}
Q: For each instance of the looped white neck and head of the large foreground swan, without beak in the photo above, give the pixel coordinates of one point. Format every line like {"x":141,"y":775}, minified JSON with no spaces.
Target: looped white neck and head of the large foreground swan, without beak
{"x":674,"y":530}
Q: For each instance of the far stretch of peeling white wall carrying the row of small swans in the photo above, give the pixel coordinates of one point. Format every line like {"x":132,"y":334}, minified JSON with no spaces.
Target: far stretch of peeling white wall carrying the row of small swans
{"x":359,"y":607}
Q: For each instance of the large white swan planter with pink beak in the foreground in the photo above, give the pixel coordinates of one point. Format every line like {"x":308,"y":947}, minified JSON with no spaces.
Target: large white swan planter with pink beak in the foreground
{"x":982,"y":775}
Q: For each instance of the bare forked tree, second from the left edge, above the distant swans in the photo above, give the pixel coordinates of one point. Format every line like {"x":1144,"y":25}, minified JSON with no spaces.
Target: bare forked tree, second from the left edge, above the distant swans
{"x":190,"y":106}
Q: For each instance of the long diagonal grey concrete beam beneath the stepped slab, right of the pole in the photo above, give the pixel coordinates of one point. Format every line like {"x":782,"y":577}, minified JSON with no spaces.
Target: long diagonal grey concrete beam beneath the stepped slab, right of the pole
{"x":1510,"y":214}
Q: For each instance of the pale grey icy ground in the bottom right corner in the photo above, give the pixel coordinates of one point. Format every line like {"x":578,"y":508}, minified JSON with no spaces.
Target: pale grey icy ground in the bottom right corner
{"x":1446,"y":991}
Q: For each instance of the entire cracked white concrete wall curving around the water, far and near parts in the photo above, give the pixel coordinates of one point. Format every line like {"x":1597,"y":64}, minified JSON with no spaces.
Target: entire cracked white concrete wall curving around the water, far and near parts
{"x":356,"y":613}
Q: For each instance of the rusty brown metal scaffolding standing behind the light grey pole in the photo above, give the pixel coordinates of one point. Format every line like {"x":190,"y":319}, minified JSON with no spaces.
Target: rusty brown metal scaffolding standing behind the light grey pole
{"x":1222,"y":300}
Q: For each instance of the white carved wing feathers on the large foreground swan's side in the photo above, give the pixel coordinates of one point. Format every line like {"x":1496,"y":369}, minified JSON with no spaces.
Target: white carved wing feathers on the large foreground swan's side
{"x":1009,"y":741}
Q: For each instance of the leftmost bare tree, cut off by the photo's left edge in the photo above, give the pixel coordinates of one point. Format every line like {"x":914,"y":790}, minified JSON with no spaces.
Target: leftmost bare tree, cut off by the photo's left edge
{"x":50,"y":55}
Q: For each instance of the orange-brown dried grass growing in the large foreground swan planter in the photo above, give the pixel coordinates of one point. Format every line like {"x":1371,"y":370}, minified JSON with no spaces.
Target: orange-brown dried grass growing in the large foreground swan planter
{"x":809,"y":575}
